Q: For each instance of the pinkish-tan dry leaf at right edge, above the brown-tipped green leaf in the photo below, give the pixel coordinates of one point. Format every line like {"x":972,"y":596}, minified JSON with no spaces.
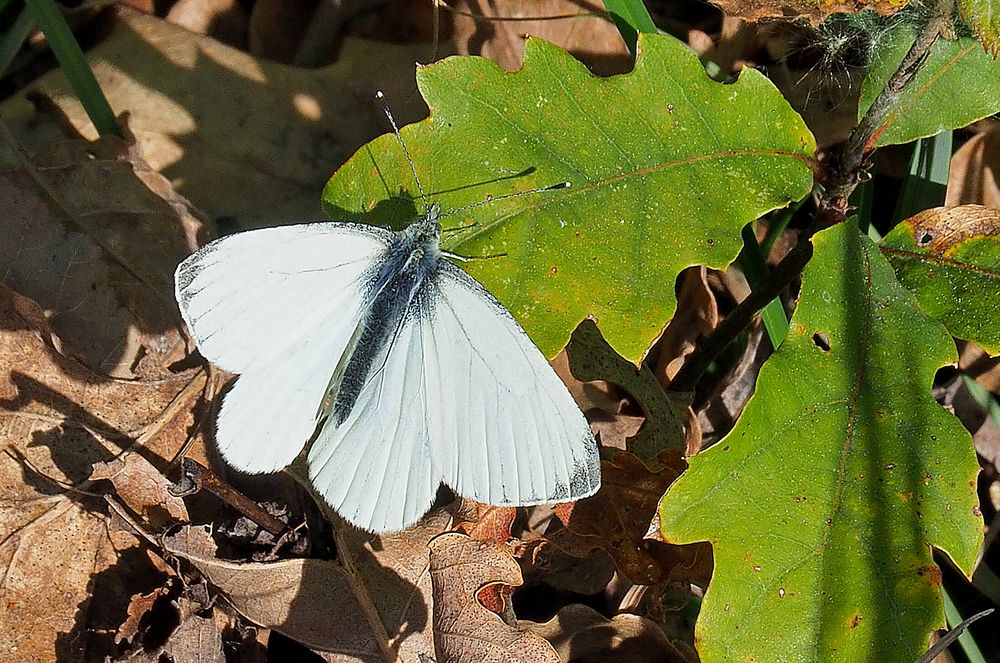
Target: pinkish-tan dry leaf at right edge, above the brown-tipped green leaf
{"x":974,"y":173}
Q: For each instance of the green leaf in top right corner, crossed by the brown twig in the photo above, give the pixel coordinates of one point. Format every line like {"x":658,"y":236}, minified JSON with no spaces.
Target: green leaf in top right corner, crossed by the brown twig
{"x":958,"y":84}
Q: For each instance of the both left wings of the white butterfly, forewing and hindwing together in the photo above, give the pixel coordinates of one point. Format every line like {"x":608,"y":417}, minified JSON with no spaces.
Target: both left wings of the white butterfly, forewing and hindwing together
{"x":279,"y":306}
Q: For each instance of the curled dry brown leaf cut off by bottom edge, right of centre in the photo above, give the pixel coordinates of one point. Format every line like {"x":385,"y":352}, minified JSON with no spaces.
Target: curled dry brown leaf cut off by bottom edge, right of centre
{"x":580,"y":634}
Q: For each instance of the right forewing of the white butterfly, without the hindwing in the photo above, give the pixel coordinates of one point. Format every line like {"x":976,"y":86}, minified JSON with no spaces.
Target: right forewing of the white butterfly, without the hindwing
{"x":507,"y":430}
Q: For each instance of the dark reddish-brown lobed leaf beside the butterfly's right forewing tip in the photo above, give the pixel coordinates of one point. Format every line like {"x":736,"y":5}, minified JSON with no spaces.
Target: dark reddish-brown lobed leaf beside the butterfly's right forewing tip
{"x":617,"y":519}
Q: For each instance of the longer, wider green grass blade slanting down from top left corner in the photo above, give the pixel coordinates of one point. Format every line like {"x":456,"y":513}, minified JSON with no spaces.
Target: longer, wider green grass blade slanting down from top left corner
{"x":74,"y":64}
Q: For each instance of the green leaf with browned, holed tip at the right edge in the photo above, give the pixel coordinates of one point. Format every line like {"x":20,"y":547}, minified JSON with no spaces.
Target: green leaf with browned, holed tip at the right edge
{"x":950,"y":258}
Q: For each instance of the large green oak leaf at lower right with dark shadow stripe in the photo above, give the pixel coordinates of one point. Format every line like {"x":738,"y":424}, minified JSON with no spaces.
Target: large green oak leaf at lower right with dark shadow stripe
{"x":822,"y":502}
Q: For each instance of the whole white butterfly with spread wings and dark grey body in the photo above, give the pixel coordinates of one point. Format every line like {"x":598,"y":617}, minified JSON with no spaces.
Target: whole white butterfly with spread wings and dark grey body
{"x":400,"y":367}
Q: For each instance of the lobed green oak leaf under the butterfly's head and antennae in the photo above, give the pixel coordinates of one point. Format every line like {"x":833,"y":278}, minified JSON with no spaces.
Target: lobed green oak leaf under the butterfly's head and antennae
{"x":665,"y":164}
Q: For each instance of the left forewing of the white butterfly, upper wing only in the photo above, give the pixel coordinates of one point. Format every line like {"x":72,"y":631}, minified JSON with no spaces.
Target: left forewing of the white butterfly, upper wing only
{"x":251,"y":296}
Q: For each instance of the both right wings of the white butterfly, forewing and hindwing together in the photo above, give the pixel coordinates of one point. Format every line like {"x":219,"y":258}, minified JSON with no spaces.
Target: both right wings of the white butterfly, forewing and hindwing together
{"x":460,"y":395}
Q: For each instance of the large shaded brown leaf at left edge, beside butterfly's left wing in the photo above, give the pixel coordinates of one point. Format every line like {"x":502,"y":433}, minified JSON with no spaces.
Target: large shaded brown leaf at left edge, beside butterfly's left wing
{"x":93,"y":235}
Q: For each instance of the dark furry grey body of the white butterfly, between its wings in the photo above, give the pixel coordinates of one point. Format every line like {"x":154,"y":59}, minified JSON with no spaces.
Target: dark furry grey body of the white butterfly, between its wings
{"x":398,"y":290}
